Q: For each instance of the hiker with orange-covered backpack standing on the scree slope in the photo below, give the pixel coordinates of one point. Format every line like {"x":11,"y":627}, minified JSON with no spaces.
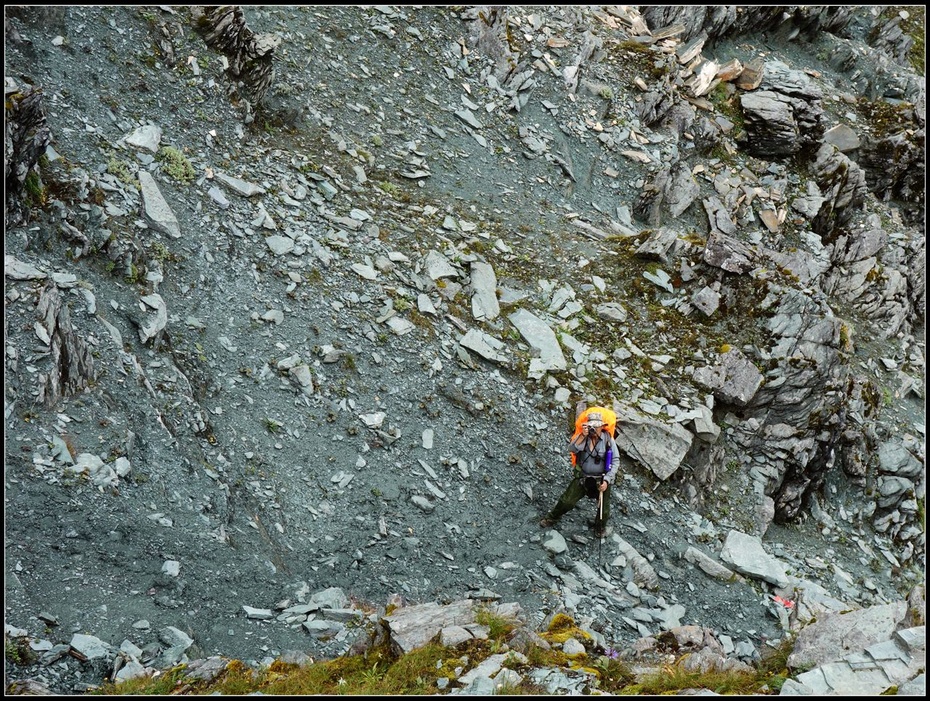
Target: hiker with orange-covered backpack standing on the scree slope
{"x":590,"y":448}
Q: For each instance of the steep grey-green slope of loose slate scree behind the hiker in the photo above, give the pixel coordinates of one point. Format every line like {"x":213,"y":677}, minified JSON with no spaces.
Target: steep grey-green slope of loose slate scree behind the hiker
{"x":269,"y":365}
